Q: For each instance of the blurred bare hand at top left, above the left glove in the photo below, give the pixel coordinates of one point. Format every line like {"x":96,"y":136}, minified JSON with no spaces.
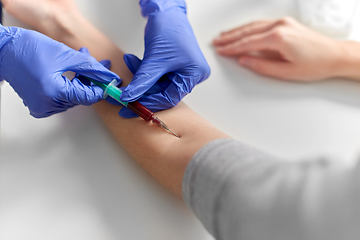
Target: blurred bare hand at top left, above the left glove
{"x":41,"y":14}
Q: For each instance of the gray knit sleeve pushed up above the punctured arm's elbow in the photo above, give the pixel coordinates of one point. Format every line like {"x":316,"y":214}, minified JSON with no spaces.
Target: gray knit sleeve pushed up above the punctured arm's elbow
{"x":239,"y":192}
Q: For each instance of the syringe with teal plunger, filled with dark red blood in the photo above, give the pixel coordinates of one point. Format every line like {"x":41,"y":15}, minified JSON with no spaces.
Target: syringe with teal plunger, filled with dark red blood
{"x":114,"y":92}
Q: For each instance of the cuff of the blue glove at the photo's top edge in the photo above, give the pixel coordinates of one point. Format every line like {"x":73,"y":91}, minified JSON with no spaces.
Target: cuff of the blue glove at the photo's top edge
{"x":151,"y":7}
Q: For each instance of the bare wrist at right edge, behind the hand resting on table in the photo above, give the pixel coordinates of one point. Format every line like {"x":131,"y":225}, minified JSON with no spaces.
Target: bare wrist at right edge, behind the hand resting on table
{"x":347,"y":64}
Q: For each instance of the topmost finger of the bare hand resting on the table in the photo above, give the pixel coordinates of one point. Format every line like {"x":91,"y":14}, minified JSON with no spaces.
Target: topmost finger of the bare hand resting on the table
{"x":243,"y":31}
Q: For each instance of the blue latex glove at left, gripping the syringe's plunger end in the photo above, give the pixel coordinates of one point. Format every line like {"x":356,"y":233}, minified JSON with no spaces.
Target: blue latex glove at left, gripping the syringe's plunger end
{"x":33,"y":64}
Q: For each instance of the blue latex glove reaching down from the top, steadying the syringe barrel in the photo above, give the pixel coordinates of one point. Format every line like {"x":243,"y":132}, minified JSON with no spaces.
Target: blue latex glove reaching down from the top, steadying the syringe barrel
{"x":171,"y":50}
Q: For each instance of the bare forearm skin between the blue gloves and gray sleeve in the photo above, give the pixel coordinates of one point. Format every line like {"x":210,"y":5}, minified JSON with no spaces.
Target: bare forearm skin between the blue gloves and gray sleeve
{"x":161,"y":154}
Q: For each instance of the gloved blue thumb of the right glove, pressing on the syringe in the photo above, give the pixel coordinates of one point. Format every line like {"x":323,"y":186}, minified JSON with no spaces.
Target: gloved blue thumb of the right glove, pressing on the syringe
{"x":148,"y":73}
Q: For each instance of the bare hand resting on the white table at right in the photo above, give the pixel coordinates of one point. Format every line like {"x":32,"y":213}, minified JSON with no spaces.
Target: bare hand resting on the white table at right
{"x":297,"y":53}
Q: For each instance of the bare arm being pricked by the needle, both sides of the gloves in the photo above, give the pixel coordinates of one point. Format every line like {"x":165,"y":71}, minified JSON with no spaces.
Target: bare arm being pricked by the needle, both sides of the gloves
{"x":161,"y":154}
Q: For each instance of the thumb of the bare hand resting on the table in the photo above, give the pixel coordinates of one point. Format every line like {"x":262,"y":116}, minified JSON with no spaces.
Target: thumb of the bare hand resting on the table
{"x":266,"y":67}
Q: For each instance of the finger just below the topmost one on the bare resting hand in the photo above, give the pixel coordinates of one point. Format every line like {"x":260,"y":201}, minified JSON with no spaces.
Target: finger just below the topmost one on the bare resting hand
{"x":259,"y":42}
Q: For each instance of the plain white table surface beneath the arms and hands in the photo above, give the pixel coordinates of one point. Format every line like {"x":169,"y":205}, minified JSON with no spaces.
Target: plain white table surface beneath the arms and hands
{"x":65,"y":177}
